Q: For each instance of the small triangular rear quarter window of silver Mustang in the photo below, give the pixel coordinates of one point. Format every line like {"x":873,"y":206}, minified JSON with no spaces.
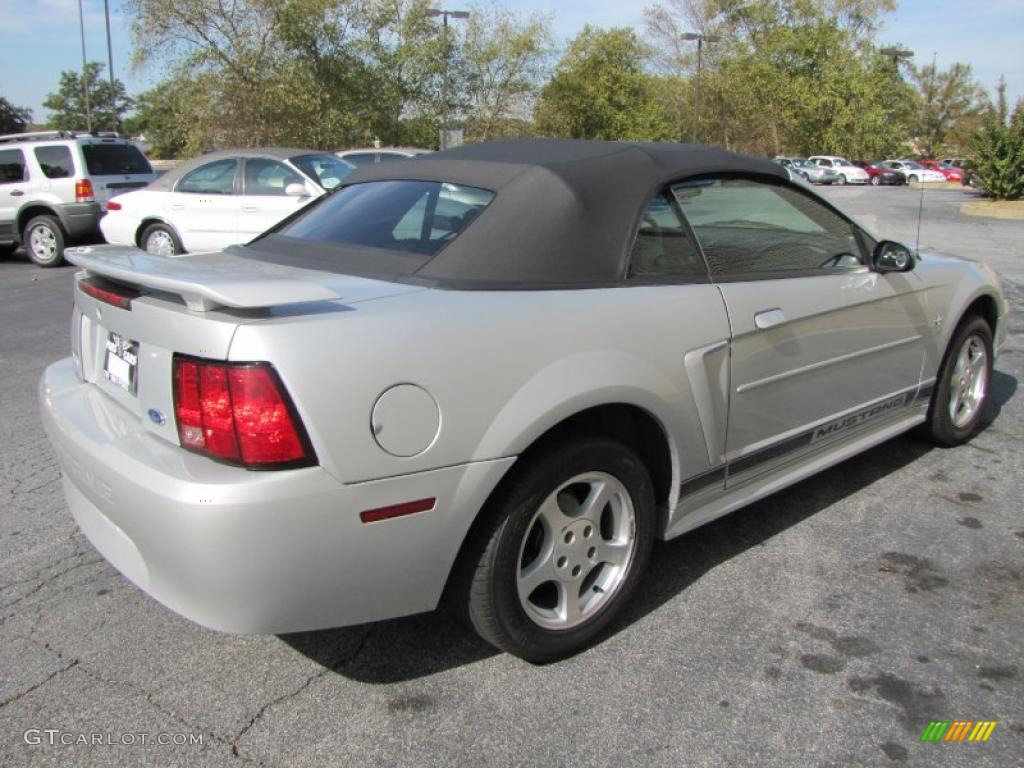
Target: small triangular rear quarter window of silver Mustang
{"x":663,"y":246}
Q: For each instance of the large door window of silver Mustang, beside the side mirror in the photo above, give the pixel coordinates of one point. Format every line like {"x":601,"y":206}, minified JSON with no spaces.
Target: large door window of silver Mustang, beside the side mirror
{"x":749,"y":228}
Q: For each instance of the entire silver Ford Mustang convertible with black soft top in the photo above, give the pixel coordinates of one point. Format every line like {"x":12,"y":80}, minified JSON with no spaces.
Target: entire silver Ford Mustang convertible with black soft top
{"x":494,"y":375}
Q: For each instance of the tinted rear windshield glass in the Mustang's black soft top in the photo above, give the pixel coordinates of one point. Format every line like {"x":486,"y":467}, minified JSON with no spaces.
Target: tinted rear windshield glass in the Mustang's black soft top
{"x":418,"y":218}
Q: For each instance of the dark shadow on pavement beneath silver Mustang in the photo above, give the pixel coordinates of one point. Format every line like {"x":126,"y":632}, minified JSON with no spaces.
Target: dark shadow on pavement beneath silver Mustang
{"x":409,"y":649}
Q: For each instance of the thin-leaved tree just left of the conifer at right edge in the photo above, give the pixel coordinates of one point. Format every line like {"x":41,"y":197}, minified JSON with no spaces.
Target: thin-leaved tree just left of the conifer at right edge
{"x":951,"y":107}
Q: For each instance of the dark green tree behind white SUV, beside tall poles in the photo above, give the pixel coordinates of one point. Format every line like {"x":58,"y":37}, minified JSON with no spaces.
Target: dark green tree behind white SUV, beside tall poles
{"x":107,"y":107}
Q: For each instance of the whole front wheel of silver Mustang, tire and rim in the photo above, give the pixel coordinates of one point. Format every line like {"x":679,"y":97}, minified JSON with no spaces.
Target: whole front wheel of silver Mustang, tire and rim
{"x":956,"y":411}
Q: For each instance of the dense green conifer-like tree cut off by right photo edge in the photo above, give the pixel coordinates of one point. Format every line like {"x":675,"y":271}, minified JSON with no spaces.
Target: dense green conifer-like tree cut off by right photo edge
{"x":999,"y":150}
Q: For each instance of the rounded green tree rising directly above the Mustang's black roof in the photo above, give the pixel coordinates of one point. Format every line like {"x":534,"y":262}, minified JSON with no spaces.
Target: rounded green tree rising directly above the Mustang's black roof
{"x":602,"y":91}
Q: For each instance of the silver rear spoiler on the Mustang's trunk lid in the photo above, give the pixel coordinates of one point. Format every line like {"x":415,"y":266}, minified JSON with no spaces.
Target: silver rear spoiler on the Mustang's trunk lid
{"x":206,"y":282}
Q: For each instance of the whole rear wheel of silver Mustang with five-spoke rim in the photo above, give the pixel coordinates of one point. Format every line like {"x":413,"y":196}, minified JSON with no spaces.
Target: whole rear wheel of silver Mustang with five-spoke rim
{"x":565,"y":545}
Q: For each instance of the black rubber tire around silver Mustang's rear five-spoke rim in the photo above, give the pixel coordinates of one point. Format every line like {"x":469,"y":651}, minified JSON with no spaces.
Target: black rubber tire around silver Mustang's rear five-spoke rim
{"x":488,"y":593}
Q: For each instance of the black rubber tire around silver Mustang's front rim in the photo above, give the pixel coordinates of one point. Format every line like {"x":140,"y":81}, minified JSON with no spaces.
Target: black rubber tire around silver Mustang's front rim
{"x":942,"y":429}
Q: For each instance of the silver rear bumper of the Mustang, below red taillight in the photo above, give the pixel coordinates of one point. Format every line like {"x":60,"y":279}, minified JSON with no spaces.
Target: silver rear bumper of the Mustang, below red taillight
{"x":252,"y":552}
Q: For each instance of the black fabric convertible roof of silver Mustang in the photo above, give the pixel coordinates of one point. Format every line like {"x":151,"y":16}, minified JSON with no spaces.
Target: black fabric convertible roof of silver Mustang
{"x":565,"y":212}
